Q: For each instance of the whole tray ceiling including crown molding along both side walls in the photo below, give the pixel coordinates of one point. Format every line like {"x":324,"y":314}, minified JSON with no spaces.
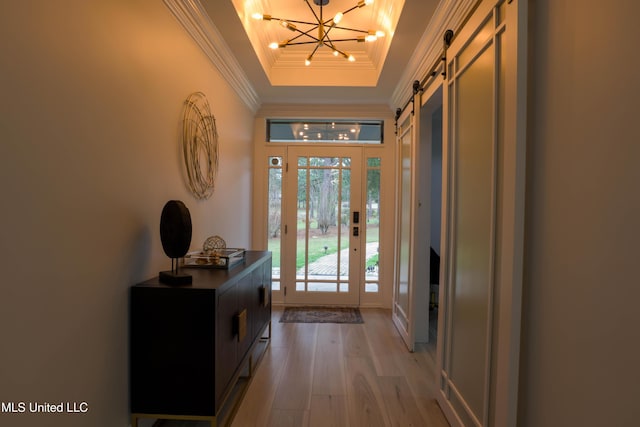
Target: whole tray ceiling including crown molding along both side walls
{"x":379,"y":76}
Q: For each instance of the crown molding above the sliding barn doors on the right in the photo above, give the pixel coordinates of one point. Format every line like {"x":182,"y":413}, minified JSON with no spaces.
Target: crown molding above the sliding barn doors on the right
{"x":450,"y":14}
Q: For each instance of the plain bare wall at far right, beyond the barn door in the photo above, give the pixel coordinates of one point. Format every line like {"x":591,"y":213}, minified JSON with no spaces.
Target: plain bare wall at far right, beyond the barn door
{"x":581,"y":344}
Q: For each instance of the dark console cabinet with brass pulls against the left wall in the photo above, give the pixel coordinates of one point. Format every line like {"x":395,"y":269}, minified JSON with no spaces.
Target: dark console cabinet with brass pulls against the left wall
{"x":189,"y":345}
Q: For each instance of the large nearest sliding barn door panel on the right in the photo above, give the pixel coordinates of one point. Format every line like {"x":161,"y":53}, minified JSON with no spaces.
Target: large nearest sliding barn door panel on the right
{"x":483,"y":192}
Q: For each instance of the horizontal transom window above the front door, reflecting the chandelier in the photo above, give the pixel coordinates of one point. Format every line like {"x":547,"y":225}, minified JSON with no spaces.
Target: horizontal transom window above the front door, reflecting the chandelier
{"x":325,"y":131}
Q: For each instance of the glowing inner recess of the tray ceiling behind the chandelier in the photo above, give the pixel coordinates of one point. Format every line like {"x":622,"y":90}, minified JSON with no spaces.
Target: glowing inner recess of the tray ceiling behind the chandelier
{"x":286,"y":66}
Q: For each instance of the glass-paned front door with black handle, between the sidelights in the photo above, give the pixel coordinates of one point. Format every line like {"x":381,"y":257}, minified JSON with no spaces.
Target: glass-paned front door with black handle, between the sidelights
{"x":322,"y":262}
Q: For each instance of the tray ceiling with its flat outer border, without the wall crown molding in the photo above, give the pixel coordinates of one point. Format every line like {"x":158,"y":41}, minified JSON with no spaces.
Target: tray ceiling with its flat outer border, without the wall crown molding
{"x":298,"y":84}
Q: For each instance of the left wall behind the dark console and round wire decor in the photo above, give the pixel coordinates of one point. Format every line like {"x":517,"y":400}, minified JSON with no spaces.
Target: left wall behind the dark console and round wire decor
{"x":91,"y":95}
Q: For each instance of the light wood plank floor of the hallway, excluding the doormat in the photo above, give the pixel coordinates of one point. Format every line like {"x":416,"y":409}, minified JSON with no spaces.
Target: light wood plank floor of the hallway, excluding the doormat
{"x":341,"y":375}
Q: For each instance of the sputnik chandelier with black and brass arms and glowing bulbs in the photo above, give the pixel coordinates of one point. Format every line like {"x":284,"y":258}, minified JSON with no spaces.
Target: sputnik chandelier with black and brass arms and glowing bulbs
{"x":322,"y":28}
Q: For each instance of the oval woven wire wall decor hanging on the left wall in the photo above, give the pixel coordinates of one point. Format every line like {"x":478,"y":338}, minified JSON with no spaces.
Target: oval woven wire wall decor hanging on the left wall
{"x":199,"y":146}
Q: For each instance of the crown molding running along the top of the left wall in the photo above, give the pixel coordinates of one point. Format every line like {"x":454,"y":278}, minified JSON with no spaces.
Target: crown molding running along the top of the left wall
{"x":194,"y":18}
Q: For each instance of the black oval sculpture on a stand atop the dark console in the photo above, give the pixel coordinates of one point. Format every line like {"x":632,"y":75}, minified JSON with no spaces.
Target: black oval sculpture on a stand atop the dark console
{"x":175,"y":234}
